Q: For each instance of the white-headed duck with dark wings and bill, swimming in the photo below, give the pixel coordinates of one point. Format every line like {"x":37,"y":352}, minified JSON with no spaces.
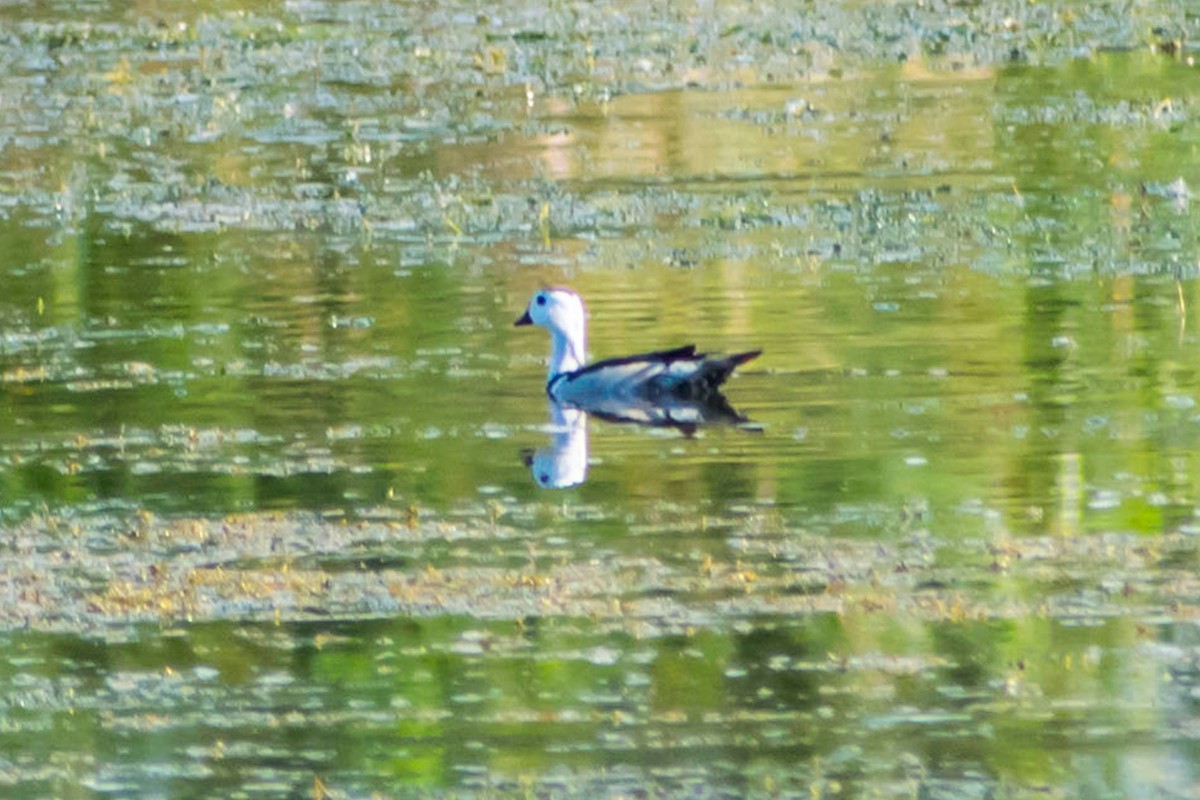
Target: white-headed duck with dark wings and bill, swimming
{"x":657,"y":377}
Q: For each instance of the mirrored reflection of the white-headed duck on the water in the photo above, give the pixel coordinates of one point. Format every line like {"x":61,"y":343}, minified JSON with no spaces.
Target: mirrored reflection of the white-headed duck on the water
{"x":565,"y":462}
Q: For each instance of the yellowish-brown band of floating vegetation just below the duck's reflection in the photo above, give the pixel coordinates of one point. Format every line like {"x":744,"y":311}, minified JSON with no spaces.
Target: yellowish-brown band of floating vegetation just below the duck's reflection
{"x":302,"y":568}
